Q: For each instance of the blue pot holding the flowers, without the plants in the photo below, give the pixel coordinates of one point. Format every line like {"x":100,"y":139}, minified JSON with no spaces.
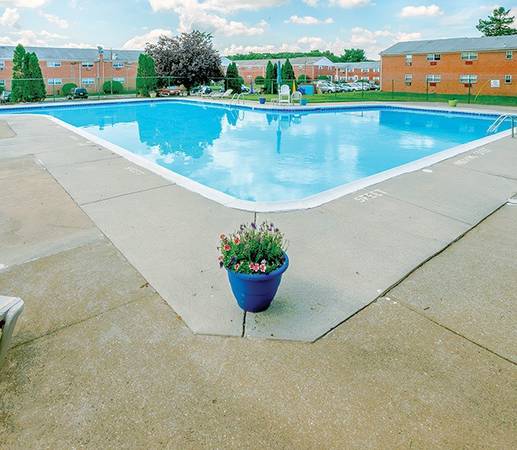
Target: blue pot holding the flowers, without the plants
{"x":254,"y":293}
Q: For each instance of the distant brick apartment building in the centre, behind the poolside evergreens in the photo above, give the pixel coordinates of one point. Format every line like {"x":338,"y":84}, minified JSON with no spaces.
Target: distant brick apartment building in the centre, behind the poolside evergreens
{"x":312,"y":67}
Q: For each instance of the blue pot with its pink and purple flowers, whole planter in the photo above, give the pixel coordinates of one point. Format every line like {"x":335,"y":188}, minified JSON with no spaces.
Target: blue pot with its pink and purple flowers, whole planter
{"x":255,"y":259}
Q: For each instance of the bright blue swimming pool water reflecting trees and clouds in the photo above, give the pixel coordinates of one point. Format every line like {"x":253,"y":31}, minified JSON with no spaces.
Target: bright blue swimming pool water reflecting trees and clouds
{"x":272,"y":155}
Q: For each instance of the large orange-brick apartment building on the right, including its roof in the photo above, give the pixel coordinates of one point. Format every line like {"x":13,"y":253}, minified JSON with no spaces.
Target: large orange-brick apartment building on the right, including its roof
{"x":484,"y":65}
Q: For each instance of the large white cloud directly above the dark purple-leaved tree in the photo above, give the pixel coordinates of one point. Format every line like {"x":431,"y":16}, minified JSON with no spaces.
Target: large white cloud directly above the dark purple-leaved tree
{"x":205,"y":15}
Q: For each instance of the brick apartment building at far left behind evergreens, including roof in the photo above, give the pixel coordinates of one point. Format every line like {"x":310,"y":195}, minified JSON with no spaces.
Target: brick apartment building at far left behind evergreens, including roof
{"x":82,"y":66}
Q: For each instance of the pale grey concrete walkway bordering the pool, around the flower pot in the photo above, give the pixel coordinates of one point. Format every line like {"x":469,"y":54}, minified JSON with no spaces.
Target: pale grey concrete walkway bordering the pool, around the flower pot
{"x":344,"y":254}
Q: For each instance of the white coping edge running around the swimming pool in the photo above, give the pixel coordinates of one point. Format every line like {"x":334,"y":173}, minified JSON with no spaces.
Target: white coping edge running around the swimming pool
{"x":292,"y":205}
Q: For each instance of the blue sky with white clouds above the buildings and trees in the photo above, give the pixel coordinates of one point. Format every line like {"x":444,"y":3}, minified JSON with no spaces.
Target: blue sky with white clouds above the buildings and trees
{"x":239,"y":26}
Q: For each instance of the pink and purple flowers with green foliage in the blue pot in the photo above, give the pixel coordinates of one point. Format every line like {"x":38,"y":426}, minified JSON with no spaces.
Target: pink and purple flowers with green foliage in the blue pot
{"x":253,"y":250}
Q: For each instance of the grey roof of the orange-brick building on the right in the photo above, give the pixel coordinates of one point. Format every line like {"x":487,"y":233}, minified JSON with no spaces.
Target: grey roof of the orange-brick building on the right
{"x":453,"y":45}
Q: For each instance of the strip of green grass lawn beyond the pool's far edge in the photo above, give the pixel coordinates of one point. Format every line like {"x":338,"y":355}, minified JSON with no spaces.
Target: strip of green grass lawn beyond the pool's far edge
{"x":400,"y":97}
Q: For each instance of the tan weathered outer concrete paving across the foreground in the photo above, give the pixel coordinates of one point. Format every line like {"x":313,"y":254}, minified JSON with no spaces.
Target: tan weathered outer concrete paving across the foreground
{"x":100,"y":360}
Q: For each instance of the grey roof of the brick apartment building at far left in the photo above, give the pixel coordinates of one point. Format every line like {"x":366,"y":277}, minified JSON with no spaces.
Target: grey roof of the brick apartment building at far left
{"x":72,"y":54}
